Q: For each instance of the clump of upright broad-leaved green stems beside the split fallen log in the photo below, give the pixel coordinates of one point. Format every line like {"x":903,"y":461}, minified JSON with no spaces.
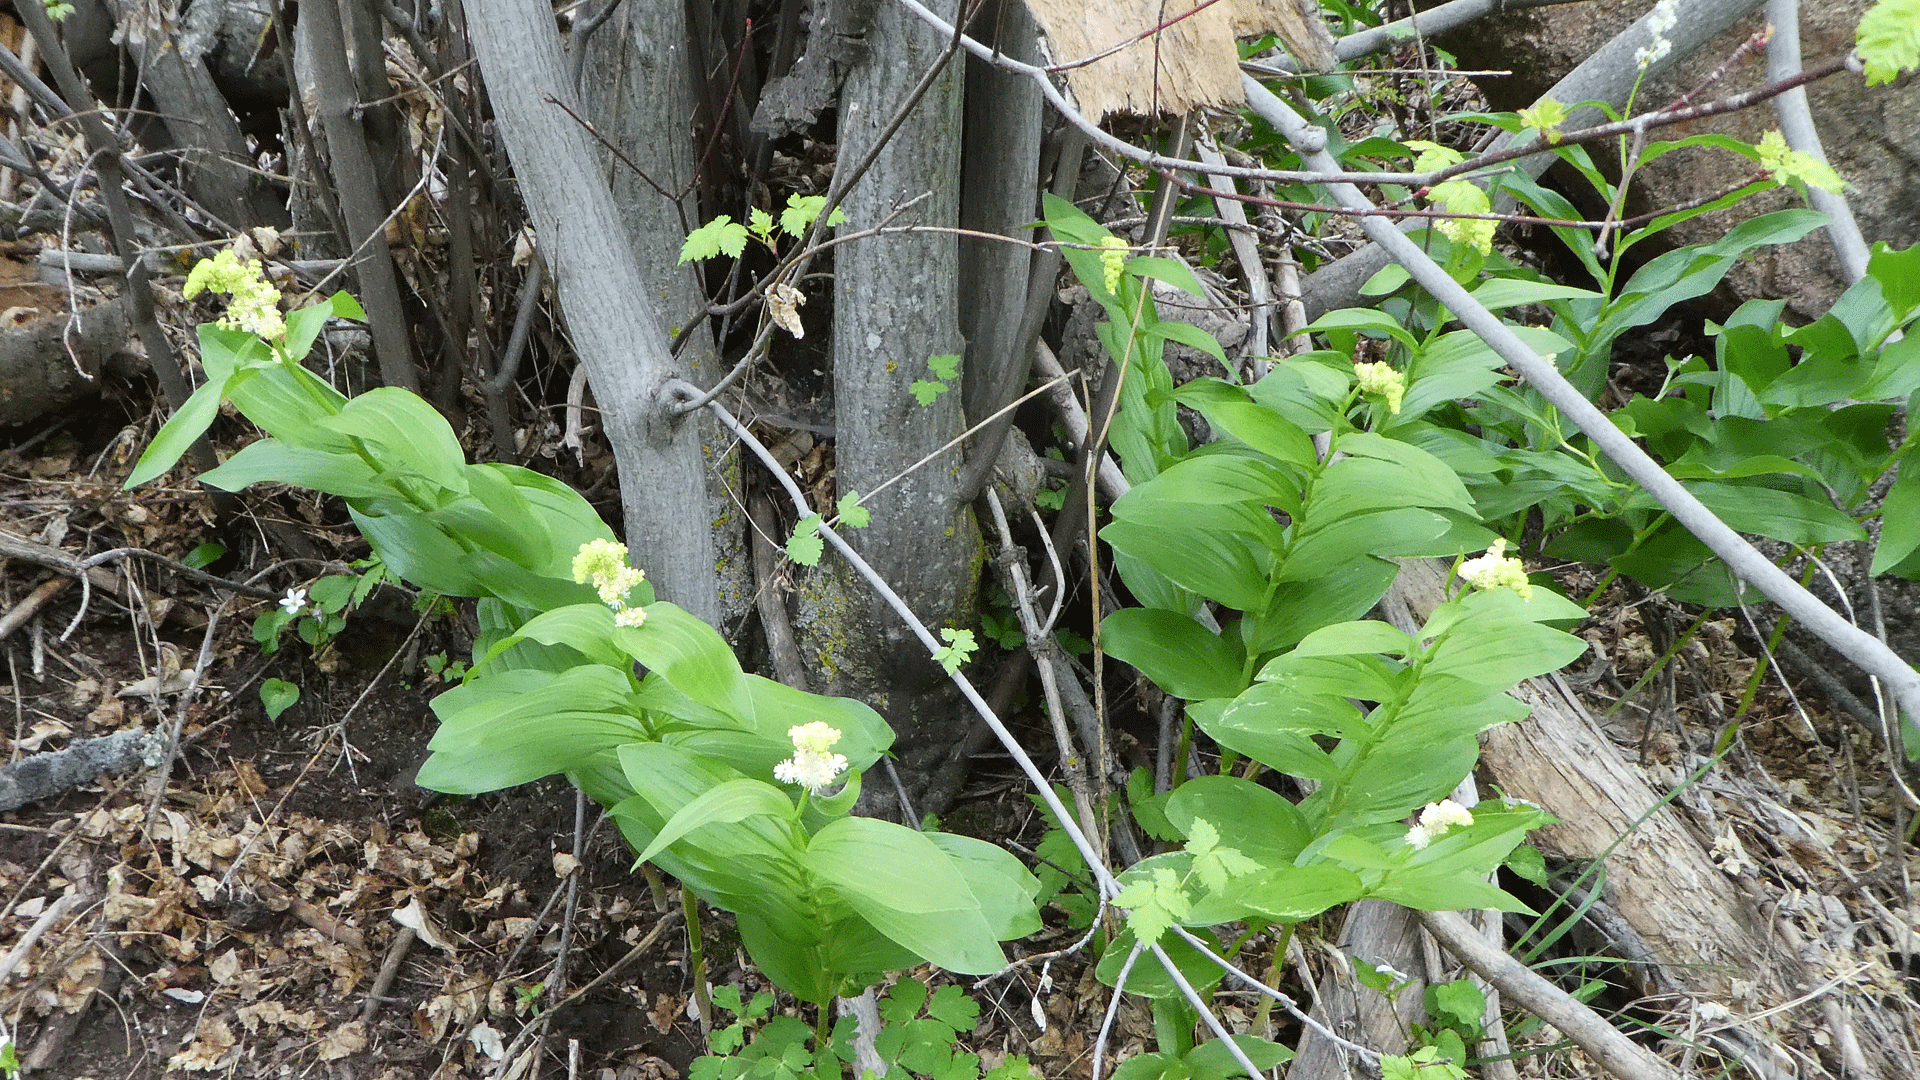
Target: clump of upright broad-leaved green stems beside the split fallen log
{"x":1293,"y":547}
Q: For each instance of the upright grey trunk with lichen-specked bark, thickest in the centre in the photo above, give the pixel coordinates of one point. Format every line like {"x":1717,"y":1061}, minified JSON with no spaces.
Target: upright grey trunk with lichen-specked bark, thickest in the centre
{"x":896,"y":307}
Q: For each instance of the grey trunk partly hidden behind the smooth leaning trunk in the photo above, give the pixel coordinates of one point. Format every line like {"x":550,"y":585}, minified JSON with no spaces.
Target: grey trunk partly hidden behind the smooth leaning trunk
{"x":638,"y":91}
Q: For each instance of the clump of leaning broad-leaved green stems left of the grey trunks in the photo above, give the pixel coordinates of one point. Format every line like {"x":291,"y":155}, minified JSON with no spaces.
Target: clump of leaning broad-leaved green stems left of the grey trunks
{"x":719,"y":777}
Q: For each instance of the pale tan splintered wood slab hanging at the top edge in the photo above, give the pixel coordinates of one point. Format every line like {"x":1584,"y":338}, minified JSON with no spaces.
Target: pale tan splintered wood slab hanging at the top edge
{"x":1188,"y":47}
